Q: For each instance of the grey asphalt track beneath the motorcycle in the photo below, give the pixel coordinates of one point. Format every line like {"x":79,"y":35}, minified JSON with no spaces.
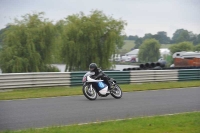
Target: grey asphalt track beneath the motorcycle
{"x":37,"y":113}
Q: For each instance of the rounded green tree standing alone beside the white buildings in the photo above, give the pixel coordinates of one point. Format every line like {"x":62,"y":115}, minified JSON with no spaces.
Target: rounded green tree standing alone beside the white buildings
{"x":149,"y":51}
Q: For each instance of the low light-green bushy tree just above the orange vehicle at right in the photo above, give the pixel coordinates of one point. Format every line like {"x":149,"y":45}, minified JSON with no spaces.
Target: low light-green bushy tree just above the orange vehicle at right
{"x":183,"y":46}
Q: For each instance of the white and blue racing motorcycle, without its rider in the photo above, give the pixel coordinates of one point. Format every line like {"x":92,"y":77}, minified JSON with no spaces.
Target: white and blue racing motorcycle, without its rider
{"x":92,"y":87}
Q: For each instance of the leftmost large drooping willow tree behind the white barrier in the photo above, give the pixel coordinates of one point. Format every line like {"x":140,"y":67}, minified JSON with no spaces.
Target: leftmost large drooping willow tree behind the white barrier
{"x":28,"y":45}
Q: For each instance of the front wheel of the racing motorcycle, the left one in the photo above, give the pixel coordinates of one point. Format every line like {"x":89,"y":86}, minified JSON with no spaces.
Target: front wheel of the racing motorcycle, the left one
{"x":89,"y":93}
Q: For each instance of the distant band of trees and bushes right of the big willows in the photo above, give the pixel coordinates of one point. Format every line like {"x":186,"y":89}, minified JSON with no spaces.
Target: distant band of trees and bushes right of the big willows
{"x":149,"y":45}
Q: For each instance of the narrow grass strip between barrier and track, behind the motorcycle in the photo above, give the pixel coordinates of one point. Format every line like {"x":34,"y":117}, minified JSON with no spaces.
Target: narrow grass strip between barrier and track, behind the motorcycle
{"x":69,"y":91}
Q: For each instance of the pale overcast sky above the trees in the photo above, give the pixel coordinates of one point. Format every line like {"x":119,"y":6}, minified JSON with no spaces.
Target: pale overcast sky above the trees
{"x":142,"y":16}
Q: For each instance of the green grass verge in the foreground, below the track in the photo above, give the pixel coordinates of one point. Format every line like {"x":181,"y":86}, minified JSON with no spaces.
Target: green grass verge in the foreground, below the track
{"x":179,"y":123}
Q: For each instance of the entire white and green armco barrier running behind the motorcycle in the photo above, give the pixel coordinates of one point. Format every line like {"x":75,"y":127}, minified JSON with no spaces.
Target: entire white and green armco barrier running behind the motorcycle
{"x":27,"y":80}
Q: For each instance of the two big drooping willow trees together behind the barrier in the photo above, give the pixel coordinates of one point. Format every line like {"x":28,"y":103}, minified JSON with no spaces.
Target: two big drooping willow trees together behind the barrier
{"x":33,"y":43}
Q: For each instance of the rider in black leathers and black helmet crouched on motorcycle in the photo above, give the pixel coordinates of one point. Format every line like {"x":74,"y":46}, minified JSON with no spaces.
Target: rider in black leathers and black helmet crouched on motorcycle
{"x":99,"y":73}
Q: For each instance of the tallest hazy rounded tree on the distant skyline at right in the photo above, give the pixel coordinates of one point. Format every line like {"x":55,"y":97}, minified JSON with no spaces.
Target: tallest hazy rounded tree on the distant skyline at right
{"x":180,"y":35}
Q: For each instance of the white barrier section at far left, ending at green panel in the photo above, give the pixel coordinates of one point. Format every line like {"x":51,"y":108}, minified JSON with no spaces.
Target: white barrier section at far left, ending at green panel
{"x":25,"y":80}
